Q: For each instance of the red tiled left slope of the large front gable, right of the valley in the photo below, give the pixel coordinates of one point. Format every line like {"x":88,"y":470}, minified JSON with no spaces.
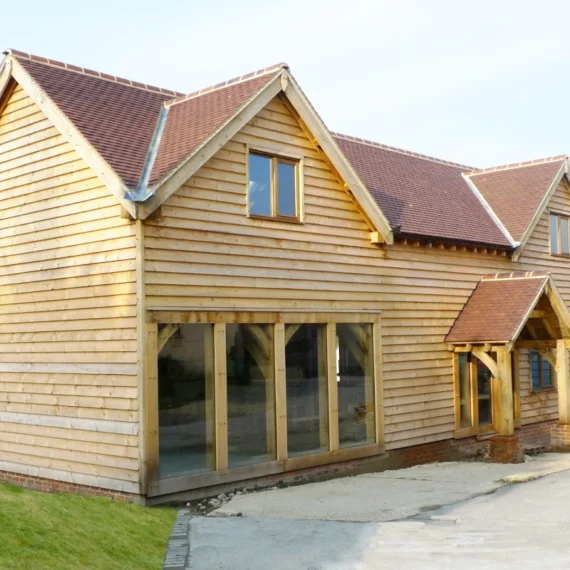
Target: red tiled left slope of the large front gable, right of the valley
{"x":191,"y":120}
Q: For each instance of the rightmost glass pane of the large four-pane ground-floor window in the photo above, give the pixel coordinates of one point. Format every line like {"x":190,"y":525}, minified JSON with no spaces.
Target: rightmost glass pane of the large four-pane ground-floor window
{"x":355,"y":385}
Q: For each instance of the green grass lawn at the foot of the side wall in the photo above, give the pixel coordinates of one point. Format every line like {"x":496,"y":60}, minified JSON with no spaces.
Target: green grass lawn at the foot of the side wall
{"x":41,"y":531}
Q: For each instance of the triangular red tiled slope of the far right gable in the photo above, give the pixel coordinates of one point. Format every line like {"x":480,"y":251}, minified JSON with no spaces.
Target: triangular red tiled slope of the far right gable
{"x":524,"y":184}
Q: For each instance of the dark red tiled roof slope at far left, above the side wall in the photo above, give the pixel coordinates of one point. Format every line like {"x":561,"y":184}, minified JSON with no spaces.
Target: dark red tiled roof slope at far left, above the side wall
{"x":117,"y":117}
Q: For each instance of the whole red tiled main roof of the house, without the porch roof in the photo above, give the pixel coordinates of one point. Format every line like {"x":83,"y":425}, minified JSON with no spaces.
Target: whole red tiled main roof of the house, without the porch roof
{"x":421,"y":196}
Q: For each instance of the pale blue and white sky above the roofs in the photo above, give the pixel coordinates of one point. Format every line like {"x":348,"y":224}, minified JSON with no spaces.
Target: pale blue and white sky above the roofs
{"x":481,"y":83}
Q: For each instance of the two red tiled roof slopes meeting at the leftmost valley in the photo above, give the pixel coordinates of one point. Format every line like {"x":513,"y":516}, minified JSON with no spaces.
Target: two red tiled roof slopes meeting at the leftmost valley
{"x":119,"y":117}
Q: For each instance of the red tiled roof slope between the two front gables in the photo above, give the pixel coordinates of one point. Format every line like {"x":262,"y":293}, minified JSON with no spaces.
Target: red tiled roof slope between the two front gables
{"x":421,"y":195}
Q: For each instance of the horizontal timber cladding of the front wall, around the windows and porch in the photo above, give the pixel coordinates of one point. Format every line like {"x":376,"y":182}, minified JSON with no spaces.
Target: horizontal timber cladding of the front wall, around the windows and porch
{"x":203,"y":252}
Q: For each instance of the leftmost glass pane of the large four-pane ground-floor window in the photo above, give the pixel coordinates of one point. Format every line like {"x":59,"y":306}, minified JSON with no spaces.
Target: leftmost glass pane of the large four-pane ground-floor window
{"x":185,"y":401}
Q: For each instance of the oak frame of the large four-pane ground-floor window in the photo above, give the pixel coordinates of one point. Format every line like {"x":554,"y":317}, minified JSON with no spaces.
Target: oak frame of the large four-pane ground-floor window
{"x":155,"y":486}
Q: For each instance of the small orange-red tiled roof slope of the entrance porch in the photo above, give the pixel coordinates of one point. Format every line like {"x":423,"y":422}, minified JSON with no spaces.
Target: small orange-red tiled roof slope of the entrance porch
{"x":497,"y":307}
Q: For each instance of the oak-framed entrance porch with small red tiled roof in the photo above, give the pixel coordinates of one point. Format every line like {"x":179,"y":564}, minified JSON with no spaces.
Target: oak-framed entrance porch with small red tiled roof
{"x":508,"y":317}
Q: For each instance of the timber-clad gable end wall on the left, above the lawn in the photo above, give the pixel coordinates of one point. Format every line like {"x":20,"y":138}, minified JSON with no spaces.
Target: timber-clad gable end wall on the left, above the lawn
{"x":68,"y":360}
